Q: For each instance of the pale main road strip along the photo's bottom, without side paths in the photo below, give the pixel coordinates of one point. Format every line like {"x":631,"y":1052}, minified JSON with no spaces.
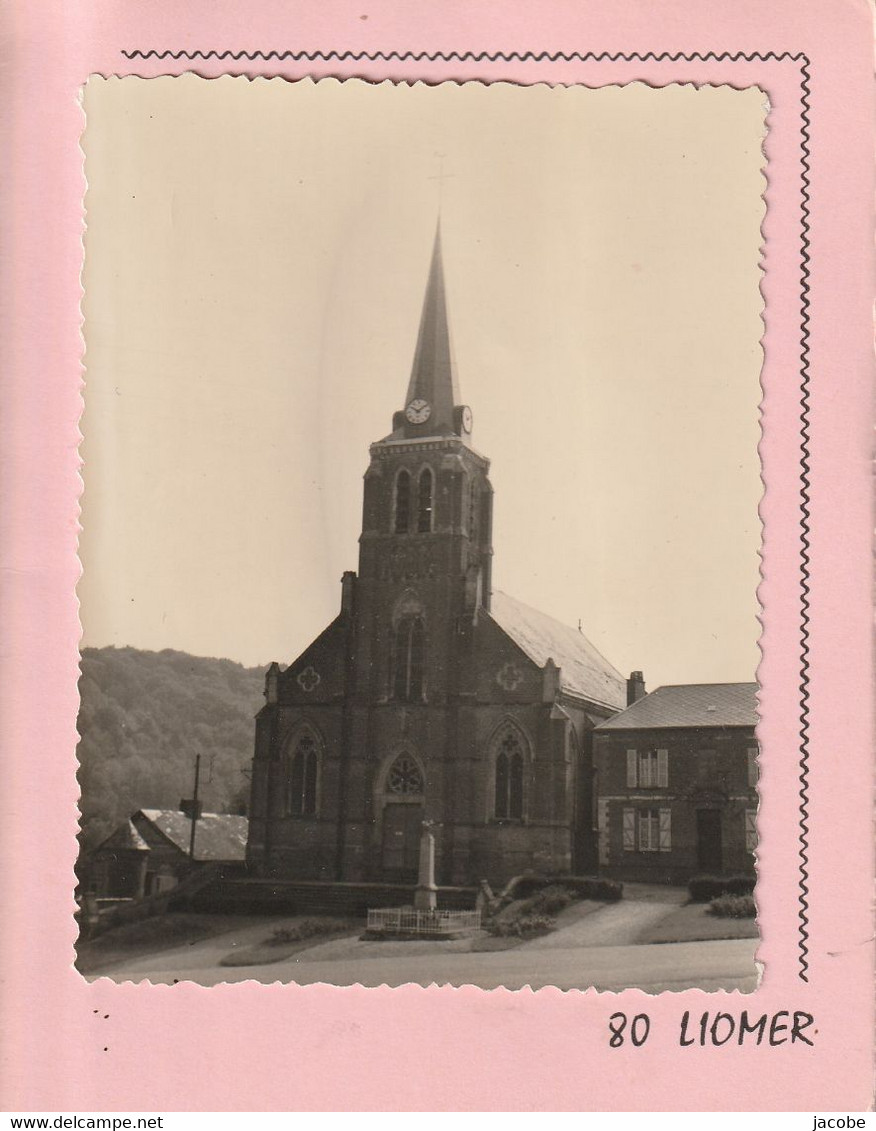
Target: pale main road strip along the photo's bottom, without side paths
{"x":721,"y":965}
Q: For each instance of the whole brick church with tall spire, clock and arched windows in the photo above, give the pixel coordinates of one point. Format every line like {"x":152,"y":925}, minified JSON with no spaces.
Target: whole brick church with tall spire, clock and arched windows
{"x":431,"y":697}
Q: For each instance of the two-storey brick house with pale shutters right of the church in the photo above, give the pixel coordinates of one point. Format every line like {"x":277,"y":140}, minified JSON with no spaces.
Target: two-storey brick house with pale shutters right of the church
{"x":676,"y":778}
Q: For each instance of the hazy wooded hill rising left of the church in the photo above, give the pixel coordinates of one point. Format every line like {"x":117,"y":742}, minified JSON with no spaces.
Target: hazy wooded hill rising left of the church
{"x":144,"y":718}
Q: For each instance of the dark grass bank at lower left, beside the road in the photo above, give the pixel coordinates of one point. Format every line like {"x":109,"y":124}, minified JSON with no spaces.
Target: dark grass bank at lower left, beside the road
{"x":152,"y":936}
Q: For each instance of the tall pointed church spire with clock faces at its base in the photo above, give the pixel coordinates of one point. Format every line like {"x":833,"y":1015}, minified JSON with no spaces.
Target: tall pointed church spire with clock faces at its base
{"x":433,"y":394}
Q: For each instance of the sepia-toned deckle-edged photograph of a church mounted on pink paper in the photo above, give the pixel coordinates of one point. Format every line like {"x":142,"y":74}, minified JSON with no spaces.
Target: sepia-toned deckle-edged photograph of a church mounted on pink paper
{"x":420,"y":534}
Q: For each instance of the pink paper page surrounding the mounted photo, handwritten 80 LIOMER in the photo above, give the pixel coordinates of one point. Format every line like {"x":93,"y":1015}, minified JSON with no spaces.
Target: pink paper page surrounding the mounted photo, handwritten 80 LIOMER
{"x":257,"y":1048}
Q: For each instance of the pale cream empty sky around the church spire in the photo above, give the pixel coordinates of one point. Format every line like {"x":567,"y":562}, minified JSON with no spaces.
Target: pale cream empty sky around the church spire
{"x":256,"y":258}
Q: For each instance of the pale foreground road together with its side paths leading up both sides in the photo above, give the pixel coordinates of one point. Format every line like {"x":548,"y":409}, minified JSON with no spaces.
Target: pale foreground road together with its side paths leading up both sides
{"x":594,"y":946}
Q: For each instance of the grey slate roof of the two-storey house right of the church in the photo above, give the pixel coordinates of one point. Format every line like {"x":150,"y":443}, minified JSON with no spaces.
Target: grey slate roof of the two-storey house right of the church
{"x":690,"y":705}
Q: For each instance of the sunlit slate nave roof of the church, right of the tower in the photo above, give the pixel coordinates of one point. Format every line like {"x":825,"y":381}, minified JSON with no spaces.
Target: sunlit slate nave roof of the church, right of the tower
{"x":584,"y":671}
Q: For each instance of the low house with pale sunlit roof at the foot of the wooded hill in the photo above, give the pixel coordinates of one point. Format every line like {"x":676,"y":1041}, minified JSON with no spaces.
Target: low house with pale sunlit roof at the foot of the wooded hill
{"x":151,"y":852}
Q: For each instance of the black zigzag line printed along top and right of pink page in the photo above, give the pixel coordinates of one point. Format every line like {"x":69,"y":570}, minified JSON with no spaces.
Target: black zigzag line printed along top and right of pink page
{"x":805,"y":374}
